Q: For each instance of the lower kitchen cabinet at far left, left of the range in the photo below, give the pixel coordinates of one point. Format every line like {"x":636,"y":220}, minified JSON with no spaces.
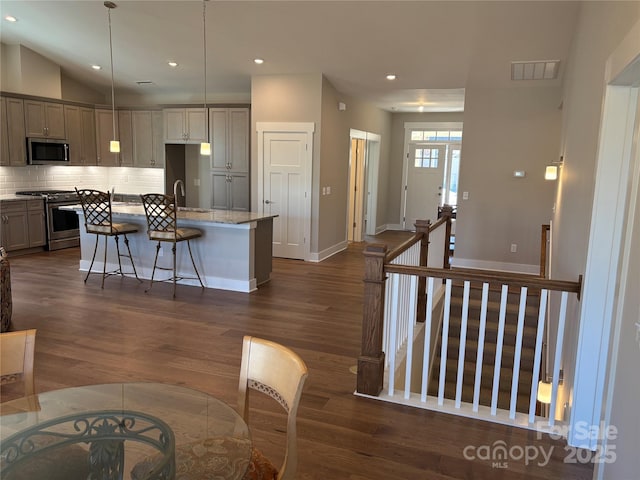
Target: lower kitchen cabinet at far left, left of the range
{"x":23,"y":224}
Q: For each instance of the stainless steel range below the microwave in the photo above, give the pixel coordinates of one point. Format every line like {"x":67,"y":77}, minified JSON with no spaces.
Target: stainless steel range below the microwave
{"x":63,"y":227}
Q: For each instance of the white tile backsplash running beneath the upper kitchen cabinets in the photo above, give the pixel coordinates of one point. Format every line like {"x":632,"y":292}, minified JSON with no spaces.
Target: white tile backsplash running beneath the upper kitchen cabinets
{"x":41,"y":177}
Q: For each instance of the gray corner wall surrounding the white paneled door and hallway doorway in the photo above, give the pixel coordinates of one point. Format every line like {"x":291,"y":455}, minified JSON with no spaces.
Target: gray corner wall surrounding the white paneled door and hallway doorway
{"x":311,"y":98}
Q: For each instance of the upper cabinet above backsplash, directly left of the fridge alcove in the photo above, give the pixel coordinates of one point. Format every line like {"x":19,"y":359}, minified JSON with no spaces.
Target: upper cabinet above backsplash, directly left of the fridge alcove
{"x":148,"y":144}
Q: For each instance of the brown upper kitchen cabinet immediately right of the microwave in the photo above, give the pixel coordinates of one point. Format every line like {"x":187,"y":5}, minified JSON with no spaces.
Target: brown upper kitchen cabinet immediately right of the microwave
{"x":80,"y":123}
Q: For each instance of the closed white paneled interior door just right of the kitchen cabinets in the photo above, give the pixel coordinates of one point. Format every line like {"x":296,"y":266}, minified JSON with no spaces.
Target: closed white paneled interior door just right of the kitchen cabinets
{"x":286,"y":191}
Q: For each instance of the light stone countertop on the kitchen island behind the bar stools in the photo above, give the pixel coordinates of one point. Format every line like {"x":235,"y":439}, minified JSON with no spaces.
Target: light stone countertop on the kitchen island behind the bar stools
{"x":185,"y":213}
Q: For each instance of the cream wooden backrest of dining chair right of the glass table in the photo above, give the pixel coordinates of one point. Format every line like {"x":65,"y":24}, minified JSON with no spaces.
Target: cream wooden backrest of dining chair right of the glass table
{"x":280,"y":373}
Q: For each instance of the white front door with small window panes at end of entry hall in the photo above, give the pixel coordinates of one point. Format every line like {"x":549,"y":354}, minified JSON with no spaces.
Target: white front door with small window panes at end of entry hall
{"x":424,"y":182}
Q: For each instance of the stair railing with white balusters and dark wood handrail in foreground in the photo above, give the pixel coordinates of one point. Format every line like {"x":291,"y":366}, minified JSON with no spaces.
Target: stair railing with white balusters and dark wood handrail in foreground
{"x":394,"y":308}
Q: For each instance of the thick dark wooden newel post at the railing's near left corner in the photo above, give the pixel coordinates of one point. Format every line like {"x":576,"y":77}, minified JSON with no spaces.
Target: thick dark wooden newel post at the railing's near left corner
{"x":371,"y":360}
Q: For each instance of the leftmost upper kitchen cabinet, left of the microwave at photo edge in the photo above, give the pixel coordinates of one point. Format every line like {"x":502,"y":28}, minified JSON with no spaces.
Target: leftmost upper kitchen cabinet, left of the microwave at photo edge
{"x":13,"y":151}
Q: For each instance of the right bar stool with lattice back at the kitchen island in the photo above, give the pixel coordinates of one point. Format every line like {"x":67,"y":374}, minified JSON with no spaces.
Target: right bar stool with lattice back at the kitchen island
{"x":162,"y":226}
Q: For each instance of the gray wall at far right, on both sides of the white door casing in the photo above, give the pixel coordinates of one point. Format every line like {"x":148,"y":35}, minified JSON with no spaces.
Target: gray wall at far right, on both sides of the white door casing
{"x":601,"y":27}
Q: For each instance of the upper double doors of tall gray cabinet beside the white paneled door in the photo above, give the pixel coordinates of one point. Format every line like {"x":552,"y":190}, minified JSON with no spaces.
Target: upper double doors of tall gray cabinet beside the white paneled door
{"x":230,"y":138}
